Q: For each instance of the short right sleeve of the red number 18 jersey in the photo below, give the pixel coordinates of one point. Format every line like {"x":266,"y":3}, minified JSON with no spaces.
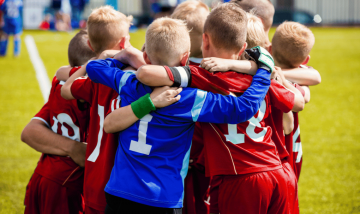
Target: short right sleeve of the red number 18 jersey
{"x":281,"y":97}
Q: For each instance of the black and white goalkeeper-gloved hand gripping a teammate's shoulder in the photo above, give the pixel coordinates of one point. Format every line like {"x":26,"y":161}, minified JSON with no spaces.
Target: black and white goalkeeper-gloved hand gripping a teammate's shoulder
{"x":262,"y":58}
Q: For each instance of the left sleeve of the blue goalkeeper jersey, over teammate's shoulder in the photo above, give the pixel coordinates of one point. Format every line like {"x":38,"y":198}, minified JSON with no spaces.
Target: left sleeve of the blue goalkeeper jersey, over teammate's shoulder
{"x":107,"y":72}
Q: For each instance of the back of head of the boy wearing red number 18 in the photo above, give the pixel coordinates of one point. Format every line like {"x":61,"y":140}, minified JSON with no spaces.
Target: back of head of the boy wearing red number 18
{"x":226,"y":26}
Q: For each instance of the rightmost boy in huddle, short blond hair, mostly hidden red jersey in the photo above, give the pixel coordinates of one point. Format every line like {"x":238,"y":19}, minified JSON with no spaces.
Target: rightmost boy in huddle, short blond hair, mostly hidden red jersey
{"x":291,"y":45}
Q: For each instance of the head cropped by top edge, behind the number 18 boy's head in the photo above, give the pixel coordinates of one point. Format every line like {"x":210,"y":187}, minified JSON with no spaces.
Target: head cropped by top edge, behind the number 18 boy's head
{"x":263,"y":9}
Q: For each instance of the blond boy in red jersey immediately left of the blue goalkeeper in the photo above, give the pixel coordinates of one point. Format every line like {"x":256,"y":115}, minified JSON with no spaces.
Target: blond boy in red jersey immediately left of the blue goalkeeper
{"x":107,"y":29}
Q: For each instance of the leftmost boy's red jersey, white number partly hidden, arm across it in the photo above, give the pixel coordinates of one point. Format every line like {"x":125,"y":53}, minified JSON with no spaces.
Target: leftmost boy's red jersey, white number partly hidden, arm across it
{"x":65,"y":118}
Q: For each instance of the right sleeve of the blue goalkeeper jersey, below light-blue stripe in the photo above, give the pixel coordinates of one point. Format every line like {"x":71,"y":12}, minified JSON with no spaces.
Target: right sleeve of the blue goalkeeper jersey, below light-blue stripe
{"x":215,"y":108}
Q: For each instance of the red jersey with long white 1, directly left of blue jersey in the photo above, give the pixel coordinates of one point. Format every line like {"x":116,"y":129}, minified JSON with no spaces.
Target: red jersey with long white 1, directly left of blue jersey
{"x":101,"y":149}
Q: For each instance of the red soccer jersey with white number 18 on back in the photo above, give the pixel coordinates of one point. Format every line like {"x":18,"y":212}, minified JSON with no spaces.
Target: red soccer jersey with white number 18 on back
{"x":246,"y":147}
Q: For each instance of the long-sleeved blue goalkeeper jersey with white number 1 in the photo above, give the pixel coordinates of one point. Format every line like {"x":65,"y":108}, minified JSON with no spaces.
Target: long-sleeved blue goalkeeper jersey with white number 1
{"x":153,"y":154}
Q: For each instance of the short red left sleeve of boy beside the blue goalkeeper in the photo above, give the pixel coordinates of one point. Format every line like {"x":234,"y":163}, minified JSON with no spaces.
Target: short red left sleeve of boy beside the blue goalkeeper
{"x":83,"y":89}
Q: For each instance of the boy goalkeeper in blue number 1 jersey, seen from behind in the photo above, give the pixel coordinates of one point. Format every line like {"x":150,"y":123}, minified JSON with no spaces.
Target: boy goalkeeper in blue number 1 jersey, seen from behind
{"x":153,"y":154}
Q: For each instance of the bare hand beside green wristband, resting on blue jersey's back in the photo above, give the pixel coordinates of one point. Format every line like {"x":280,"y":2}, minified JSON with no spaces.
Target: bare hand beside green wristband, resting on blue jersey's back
{"x":165,"y":96}
